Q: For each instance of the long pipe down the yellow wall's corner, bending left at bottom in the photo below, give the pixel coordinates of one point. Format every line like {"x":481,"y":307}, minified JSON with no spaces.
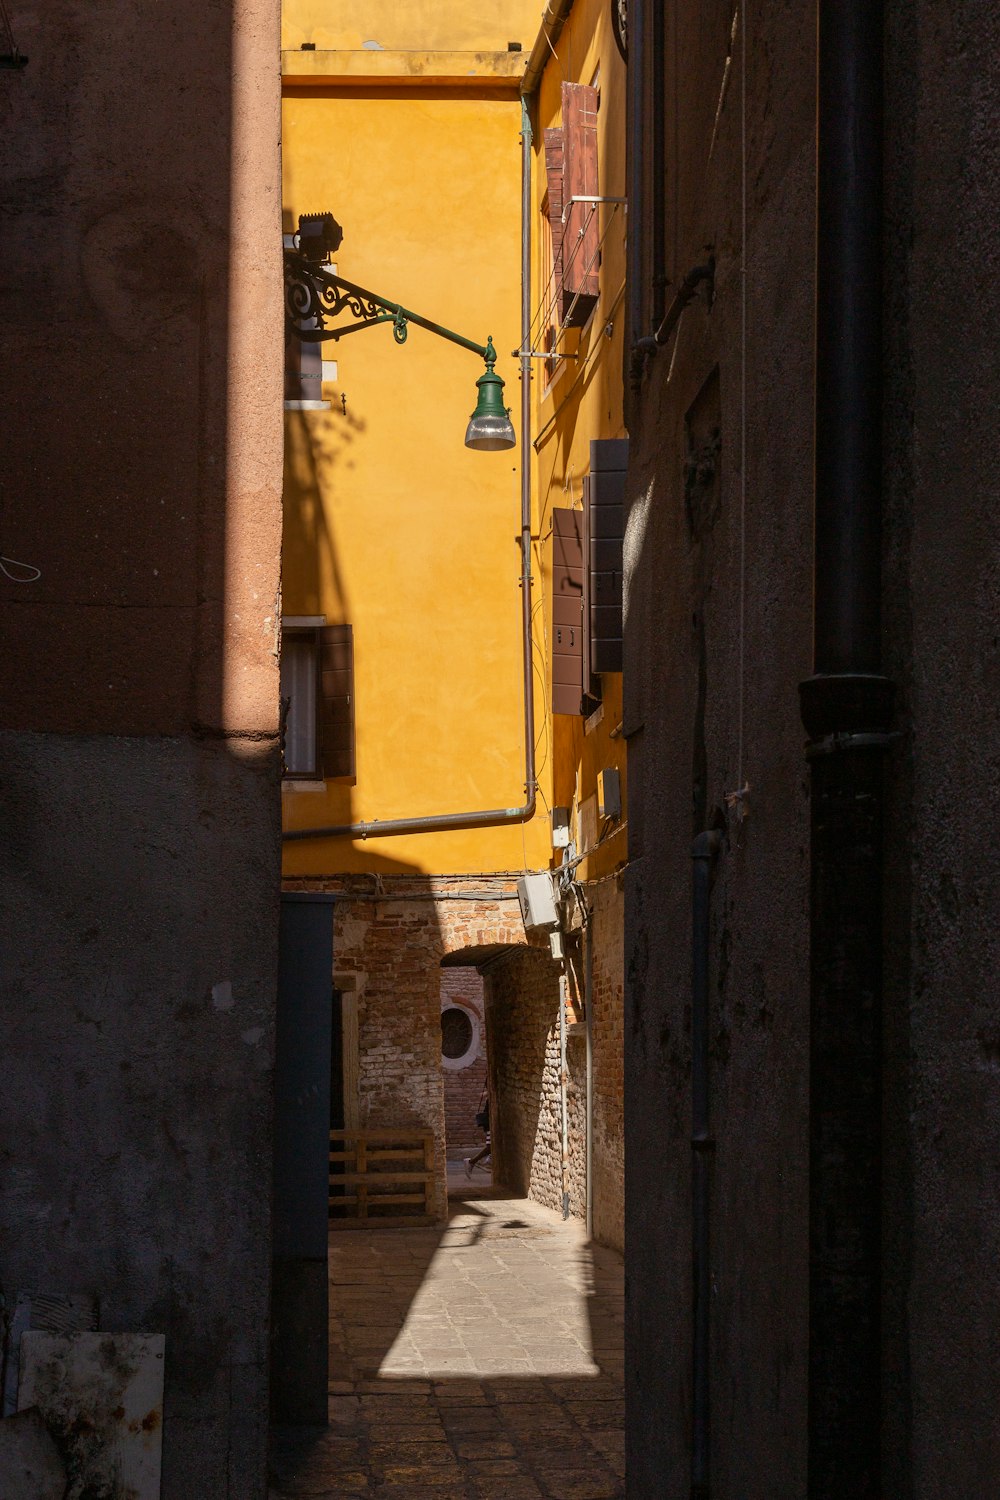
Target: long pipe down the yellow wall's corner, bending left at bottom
{"x":496,"y":817}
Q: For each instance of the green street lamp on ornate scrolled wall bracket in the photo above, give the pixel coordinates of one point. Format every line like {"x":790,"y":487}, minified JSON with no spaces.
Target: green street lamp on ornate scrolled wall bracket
{"x":314,"y":296}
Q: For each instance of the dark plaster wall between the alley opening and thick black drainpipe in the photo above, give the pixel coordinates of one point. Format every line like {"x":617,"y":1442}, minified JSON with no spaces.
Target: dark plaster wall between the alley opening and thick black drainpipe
{"x":684,"y":668}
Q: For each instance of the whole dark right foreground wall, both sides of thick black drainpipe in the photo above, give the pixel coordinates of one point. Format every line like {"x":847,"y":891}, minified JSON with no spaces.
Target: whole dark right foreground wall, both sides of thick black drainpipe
{"x":684,"y":646}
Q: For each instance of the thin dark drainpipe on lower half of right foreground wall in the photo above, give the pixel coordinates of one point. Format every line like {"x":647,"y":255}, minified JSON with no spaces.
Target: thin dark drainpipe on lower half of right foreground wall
{"x":704,"y":854}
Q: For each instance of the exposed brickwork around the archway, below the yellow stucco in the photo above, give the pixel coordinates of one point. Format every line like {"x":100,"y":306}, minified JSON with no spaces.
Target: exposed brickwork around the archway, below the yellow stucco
{"x":391,"y":937}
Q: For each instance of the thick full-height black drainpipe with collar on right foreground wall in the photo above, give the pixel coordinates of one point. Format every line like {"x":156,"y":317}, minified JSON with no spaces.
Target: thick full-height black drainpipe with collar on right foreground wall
{"x":848,"y":712}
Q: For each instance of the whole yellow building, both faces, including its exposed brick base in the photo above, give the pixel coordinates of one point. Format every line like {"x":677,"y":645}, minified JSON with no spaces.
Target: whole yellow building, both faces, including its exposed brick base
{"x":404,"y":592}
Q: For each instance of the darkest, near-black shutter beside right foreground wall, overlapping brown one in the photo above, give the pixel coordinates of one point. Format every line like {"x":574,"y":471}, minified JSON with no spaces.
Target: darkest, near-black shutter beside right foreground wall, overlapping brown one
{"x":605,"y":496}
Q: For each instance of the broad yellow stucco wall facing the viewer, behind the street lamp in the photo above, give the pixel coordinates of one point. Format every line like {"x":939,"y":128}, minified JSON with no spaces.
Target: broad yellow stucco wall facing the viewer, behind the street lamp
{"x":391,"y":523}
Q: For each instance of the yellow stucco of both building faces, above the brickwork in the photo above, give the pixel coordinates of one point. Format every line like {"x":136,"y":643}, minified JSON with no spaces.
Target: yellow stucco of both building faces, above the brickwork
{"x":391,"y":523}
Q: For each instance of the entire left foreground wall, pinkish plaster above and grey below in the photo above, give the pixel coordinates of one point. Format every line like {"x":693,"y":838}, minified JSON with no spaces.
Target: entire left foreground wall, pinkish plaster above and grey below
{"x":142,"y":434}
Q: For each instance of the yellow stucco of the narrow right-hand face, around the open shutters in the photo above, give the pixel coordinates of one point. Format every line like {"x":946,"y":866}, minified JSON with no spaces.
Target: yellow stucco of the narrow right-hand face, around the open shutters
{"x":585,"y":400}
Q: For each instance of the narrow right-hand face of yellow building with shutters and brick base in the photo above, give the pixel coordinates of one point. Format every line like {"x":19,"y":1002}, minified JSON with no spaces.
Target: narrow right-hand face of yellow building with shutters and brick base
{"x":579,"y":449}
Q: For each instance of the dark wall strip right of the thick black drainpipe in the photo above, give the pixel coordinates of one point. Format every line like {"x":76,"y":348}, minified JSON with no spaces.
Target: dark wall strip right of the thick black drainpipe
{"x":944,"y":649}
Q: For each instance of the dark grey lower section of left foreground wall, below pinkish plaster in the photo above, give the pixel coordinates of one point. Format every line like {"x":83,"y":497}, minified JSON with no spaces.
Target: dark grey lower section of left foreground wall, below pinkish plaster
{"x":139,"y":1009}
